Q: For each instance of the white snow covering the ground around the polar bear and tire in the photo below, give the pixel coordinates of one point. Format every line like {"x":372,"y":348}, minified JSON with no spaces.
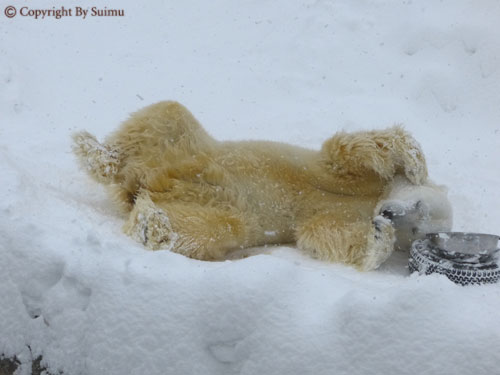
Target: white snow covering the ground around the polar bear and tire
{"x":89,"y":299}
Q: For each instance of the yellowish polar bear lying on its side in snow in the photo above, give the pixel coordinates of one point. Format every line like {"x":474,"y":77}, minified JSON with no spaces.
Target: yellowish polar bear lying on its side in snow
{"x":354,"y":201}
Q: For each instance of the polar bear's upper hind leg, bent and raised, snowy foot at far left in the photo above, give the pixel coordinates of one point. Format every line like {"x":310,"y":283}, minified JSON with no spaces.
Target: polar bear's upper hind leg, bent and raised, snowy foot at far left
{"x":158,"y":136}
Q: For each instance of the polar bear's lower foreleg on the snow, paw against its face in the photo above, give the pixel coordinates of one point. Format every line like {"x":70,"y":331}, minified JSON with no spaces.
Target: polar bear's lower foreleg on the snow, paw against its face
{"x":363,"y":244}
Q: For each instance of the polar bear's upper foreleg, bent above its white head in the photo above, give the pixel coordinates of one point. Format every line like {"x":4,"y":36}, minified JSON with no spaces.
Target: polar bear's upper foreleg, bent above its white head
{"x":385,"y":152}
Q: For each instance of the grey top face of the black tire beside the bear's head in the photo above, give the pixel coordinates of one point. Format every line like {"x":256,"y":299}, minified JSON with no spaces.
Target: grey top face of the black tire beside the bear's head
{"x":465,"y":243}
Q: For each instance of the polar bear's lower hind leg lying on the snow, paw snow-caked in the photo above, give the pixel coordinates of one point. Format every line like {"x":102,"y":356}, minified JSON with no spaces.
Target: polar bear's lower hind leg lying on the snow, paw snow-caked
{"x":200,"y":232}
